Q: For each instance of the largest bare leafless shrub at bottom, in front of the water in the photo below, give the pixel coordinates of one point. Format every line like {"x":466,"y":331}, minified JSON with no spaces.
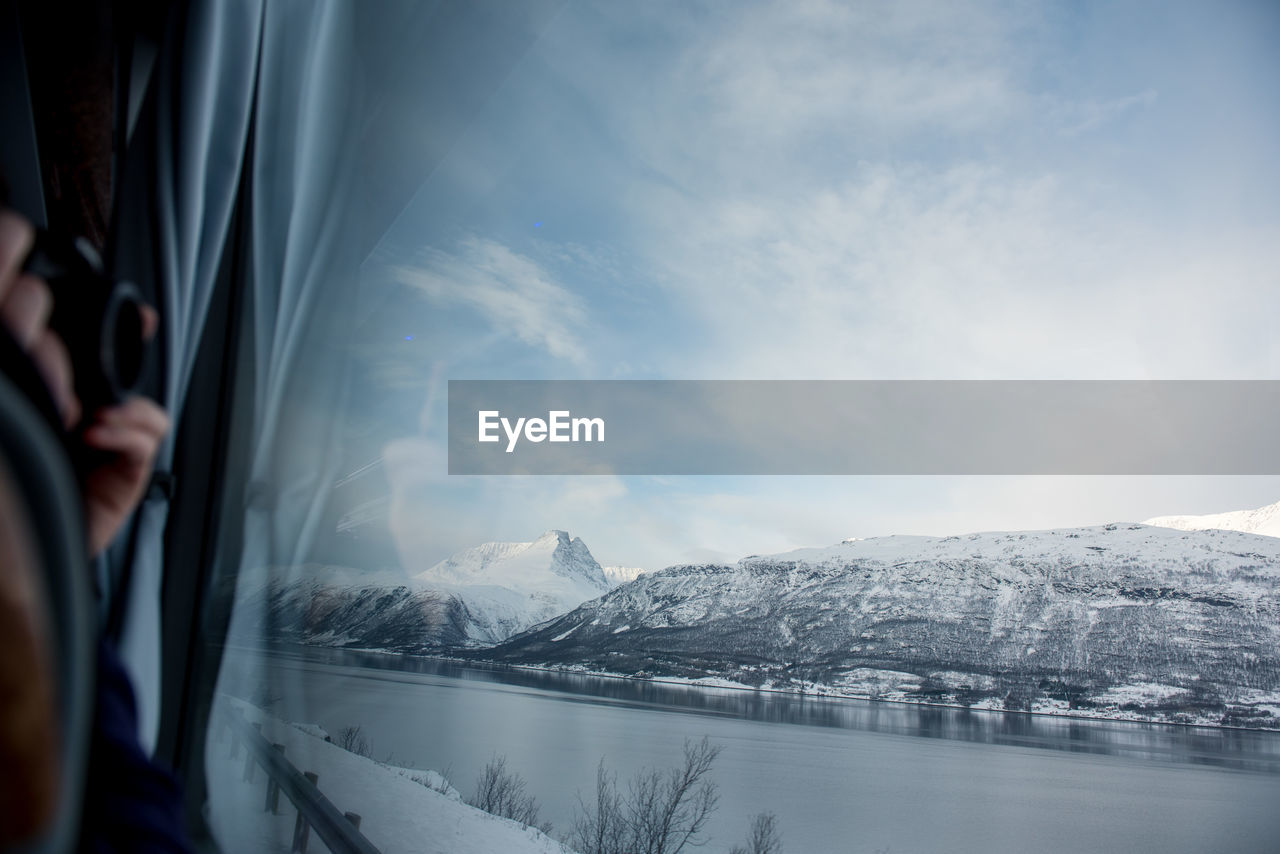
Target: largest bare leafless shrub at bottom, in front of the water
{"x":664,"y":812}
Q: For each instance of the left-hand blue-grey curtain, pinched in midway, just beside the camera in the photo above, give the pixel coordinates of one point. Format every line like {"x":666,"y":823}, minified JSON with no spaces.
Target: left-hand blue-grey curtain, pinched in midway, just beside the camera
{"x":177,"y":195}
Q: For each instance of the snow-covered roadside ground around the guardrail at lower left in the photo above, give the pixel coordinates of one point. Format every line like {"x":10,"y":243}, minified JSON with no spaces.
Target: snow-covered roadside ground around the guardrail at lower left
{"x":401,"y":810}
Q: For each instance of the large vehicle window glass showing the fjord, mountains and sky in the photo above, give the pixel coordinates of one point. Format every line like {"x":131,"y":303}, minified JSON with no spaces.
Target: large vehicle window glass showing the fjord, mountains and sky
{"x":796,"y":191}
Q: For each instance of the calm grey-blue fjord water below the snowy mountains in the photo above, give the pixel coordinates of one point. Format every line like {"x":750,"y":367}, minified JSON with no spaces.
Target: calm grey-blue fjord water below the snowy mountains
{"x":840,"y":775}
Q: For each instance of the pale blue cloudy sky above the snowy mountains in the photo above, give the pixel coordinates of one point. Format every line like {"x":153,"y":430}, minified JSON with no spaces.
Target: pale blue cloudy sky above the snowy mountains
{"x":835,"y":191}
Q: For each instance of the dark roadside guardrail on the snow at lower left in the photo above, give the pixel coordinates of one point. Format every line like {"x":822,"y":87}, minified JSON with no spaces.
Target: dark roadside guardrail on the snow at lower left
{"x":337,"y":830}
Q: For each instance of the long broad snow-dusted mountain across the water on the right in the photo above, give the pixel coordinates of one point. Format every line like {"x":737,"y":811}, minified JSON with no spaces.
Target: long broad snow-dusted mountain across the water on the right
{"x":1113,"y":615}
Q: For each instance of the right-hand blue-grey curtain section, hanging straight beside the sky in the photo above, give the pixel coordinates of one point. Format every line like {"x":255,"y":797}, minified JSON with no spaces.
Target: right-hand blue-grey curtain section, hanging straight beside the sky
{"x":305,"y":271}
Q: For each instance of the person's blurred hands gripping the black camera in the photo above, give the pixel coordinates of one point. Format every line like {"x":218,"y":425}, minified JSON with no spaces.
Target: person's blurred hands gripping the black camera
{"x":131,"y":432}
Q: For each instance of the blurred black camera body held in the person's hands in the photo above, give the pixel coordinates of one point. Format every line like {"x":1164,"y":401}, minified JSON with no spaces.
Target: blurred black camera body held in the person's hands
{"x":98,"y":318}
